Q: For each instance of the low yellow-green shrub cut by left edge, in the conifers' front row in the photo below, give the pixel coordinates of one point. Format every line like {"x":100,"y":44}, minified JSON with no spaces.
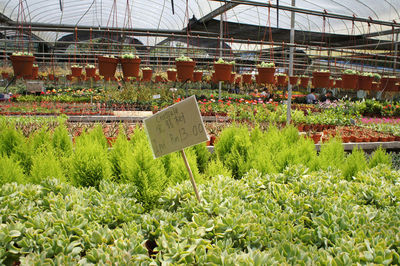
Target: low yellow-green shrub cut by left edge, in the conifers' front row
{"x":10,"y":171}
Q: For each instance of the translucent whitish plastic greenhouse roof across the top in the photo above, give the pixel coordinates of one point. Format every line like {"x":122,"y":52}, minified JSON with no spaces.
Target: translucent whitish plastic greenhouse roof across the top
{"x":242,"y":21}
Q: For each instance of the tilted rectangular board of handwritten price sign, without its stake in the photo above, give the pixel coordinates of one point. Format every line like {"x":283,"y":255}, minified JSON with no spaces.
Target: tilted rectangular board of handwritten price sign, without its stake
{"x":175,"y":128}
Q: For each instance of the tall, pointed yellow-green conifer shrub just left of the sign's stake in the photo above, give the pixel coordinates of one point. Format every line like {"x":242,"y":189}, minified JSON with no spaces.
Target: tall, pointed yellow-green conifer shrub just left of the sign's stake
{"x":140,"y":168}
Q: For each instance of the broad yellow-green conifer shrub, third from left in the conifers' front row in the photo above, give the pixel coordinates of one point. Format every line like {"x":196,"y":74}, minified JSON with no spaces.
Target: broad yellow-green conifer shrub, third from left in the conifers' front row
{"x":89,"y":163}
